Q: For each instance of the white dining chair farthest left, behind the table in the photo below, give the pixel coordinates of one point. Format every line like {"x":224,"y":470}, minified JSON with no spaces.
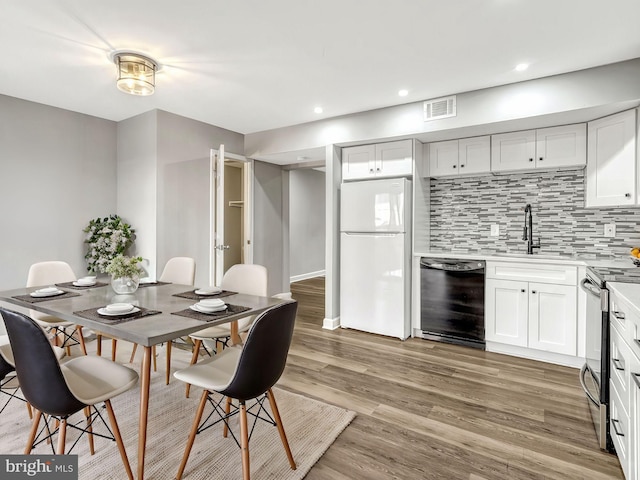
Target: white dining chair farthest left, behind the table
{"x":51,"y":273}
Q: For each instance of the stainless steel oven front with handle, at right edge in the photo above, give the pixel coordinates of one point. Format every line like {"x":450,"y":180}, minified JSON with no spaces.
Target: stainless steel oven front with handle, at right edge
{"x":594,"y":375}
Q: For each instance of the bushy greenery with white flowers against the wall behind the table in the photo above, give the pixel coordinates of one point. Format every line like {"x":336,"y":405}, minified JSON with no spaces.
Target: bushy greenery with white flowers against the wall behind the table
{"x":107,"y":238}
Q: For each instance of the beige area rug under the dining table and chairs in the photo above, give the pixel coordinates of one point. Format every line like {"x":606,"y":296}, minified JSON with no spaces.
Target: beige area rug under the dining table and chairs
{"x":311,"y":427}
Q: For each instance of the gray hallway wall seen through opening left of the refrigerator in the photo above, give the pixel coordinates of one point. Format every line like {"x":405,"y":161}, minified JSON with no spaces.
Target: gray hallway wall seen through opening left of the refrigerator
{"x":306,"y":222}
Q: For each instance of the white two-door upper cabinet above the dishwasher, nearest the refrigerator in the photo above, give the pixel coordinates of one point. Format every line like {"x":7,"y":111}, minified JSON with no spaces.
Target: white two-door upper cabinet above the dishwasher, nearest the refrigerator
{"x":460,"y":157}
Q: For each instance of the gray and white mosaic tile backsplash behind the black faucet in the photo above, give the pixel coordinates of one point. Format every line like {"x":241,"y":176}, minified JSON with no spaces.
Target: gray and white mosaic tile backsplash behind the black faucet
{"x":463,"y":210}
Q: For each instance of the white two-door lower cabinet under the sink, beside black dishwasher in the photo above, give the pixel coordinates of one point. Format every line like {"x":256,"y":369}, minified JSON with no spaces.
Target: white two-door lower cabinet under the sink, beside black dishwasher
{"x":540,"y":314}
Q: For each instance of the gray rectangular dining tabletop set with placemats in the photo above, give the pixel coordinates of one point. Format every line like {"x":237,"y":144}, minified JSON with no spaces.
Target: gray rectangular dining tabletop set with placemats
{"x":146,"y":331}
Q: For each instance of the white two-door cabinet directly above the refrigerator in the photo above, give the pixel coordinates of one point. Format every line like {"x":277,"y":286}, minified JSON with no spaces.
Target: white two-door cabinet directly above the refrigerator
{"x":390,"y":159}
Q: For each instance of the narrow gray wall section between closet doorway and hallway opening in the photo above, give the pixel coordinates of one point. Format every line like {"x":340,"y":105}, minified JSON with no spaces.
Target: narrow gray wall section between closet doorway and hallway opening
{"x":270,"y":224}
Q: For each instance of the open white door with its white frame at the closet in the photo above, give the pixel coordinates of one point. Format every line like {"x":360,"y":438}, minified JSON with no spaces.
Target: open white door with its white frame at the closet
{"x":219,"y":243}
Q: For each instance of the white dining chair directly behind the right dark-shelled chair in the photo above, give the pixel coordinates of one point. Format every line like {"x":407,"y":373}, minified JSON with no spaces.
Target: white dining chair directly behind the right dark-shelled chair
{"x":244,"y":278}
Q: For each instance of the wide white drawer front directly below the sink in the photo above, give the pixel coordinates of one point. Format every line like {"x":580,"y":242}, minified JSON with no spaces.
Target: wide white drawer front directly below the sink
{"x":530,"y":272}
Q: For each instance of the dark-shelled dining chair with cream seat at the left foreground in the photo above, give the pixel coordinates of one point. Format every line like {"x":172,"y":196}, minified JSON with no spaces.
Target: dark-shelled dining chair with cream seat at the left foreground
{"x":59,"y":390}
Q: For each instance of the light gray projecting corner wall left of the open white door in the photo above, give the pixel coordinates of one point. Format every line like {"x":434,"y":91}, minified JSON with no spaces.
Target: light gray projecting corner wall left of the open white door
{"x":163,"y":185}
